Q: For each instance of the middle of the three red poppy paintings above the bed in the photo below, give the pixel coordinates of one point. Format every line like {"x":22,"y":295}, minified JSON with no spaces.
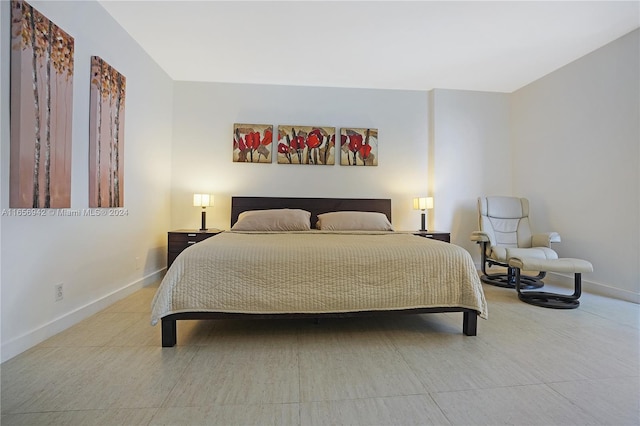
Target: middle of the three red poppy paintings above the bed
{"x":306,"y":145}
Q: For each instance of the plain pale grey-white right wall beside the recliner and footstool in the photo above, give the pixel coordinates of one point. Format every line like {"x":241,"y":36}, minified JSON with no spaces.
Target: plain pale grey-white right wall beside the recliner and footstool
{"x":576,"y":156}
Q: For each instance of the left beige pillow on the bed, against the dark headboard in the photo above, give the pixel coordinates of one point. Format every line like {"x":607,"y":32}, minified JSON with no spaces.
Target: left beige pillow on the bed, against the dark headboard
{"x":273,"y":220}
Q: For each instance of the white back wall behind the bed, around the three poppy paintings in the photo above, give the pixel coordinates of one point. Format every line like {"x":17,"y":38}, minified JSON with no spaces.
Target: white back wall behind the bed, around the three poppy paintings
{"x":204,"y":114}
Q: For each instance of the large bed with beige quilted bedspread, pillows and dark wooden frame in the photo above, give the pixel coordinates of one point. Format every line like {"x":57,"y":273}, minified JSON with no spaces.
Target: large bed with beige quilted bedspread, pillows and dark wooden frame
{"x":315,"y":273}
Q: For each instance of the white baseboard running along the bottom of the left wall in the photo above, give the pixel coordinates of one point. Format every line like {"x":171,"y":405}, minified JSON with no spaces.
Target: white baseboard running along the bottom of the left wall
{"x":55,"y":326}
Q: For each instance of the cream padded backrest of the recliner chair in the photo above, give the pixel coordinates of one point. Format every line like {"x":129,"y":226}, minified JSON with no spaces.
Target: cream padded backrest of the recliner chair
{"x":505,"y":220}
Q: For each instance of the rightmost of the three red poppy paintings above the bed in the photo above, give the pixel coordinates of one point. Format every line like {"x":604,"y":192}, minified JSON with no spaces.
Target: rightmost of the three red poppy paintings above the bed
{"x":359,"y":147}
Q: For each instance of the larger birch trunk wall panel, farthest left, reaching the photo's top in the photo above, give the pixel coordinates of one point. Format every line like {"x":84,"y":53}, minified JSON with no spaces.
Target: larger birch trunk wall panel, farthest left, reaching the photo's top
{"x":41,"y":110}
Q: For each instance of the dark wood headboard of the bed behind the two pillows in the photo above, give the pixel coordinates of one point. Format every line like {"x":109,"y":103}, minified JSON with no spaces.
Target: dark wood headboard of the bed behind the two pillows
{"x":314,"y":205}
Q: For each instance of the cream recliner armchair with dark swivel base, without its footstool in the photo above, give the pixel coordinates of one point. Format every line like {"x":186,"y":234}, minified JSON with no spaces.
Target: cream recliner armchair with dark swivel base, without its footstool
{"x":505,"y":232}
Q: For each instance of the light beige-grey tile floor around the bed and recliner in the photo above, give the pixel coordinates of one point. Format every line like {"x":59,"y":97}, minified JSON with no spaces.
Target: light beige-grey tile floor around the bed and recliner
{"x":528,"y":365}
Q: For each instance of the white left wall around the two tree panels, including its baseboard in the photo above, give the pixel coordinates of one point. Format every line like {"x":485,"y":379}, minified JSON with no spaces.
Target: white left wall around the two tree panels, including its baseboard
{"x":99,"y":259}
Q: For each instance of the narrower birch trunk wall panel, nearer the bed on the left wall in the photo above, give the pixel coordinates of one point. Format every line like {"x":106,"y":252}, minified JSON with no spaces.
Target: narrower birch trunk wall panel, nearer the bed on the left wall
{"x":106,"y":135}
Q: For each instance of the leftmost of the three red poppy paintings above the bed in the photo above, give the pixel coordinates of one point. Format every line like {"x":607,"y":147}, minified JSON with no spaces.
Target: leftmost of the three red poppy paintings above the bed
{"x":252,"y":143}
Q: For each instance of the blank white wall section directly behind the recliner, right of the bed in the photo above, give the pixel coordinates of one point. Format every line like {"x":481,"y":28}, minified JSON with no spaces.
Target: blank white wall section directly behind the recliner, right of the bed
{"x":470,"y":156}
